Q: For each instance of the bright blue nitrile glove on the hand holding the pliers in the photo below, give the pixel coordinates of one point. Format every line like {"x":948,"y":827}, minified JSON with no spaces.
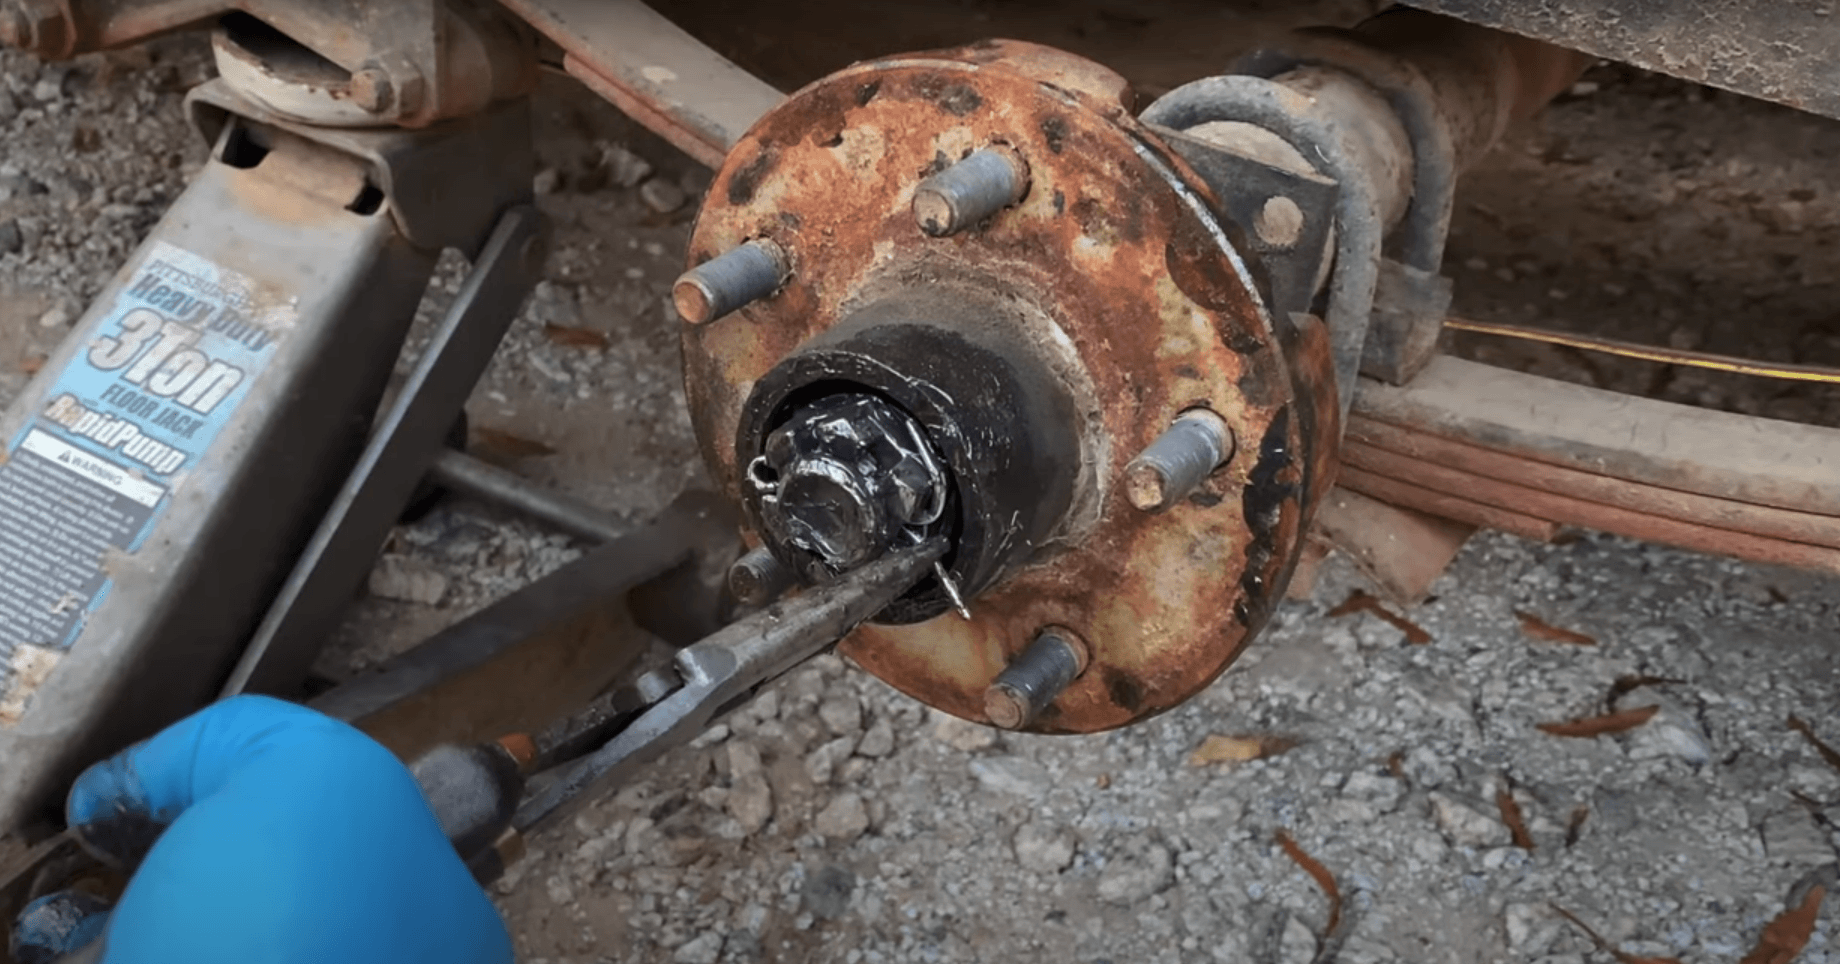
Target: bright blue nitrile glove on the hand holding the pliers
{"x":290,"y":840}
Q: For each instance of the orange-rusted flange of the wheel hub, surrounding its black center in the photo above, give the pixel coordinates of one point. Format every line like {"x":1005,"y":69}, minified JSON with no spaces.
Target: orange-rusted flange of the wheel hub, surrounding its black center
{"x":1144,"y":297}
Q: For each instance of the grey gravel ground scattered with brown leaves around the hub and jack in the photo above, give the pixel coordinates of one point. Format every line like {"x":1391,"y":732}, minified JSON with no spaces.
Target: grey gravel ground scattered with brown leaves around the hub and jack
{"x":838,"y":821}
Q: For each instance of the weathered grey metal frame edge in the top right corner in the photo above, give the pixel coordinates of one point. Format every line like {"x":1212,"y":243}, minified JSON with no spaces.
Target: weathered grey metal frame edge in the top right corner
{"x":1778,"y":51}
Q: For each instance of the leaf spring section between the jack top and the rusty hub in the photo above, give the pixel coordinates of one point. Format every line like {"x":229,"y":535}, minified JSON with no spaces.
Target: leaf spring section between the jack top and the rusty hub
{"x":656,"y":73}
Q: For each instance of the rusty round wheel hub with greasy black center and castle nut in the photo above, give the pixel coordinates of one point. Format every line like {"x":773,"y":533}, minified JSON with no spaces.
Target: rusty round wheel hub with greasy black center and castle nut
{"x":972,"y":288}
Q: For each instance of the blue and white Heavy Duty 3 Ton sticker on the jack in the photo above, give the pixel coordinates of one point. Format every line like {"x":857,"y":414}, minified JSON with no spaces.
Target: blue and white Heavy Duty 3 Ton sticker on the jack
{"x":130,"y":417}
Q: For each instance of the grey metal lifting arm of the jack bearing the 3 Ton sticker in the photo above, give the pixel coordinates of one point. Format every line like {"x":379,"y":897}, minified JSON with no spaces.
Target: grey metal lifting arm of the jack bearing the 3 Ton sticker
{"x":242,"y":354}
